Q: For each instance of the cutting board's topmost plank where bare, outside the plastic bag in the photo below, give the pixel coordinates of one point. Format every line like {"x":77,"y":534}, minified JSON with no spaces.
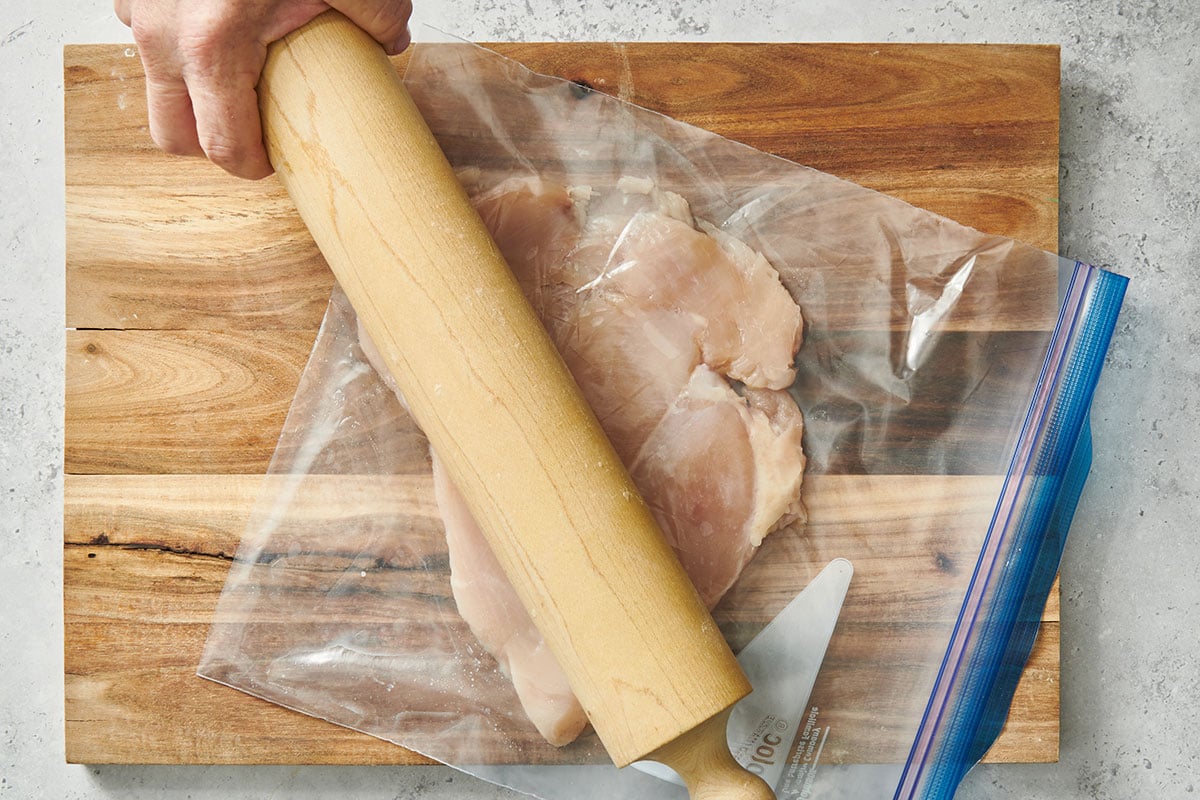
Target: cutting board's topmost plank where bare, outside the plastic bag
{"x":141,"y":244}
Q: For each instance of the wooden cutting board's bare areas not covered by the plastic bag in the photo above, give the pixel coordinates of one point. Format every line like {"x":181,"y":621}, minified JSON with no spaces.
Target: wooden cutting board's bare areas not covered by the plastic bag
{"x":194,"y":300}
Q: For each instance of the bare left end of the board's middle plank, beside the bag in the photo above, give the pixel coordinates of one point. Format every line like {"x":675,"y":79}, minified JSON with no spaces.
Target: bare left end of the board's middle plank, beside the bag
{"x":203,"y":401}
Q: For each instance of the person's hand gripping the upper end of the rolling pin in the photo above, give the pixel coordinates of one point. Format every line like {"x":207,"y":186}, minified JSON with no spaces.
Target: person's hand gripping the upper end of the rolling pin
{"x":203,"y":59}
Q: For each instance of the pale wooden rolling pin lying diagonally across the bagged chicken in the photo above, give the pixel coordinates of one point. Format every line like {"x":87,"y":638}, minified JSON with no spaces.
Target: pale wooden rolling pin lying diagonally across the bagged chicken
{"x":488,"y":387}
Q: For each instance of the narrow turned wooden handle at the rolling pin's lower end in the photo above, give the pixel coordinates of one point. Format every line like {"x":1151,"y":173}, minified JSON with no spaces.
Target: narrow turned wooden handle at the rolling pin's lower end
{"x":703,"y":760}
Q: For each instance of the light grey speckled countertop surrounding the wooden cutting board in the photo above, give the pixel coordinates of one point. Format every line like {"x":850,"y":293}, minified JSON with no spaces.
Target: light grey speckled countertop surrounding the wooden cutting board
{"x":1130,"y":199}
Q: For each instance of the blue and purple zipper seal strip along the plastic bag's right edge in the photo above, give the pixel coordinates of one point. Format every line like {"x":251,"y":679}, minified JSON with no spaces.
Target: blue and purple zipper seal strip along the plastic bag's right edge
{"x":1019,"y":558}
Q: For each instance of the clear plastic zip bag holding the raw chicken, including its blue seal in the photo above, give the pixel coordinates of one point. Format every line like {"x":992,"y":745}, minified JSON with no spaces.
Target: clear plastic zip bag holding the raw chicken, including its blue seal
{"x":945,"y":382}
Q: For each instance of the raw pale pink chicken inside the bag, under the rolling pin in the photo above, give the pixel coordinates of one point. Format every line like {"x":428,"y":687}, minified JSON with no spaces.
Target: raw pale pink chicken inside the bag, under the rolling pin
{"x":682,"y":340}
